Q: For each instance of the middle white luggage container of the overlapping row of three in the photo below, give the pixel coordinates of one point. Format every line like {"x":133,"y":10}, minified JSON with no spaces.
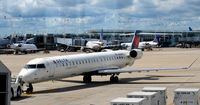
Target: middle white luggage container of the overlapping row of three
{"x":152,"y":97}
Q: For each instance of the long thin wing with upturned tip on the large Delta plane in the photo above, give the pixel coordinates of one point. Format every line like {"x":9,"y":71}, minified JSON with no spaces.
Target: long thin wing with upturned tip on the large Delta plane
{"x":143,"y":69}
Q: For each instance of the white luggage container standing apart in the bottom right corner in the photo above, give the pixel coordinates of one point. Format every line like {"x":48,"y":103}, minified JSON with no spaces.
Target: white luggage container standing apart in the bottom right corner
{"x":186,"y":96}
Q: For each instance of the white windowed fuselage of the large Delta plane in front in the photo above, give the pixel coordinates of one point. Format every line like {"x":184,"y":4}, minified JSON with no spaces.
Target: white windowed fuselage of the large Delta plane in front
{"x":49,"y":68}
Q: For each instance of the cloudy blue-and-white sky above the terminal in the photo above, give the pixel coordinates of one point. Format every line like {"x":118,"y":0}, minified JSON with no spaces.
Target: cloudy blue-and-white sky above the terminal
{"x":77,"y":16}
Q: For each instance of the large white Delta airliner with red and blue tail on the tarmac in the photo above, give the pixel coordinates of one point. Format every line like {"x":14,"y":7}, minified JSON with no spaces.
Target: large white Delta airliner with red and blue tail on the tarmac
{"x":87,"y":64}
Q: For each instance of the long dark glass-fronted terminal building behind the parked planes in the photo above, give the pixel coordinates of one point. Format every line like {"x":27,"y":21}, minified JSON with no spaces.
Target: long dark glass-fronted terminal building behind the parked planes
{"x":114,"y":37}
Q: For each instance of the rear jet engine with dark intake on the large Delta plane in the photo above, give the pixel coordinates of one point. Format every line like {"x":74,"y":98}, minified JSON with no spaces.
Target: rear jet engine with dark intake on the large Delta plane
{"x":136,"y":53}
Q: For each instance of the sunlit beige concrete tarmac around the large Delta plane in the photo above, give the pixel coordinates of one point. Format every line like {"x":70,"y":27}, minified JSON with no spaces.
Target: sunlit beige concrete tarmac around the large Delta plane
{"x":71,"y":91}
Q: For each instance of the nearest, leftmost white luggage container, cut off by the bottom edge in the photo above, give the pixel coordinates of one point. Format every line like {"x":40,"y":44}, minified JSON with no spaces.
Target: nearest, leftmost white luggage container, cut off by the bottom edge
{"x":129,"y":101}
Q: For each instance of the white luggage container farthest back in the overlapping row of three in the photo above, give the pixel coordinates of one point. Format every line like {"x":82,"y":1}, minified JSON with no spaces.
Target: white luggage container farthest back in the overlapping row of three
{"x":162,"y":95}
